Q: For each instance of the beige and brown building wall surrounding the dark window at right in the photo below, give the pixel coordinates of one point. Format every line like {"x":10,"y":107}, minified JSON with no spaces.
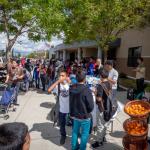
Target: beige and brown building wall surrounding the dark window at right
{"x":134,"y":38}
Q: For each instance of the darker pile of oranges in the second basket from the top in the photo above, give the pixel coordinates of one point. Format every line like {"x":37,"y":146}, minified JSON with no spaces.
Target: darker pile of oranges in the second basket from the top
{"x":135,"y":128}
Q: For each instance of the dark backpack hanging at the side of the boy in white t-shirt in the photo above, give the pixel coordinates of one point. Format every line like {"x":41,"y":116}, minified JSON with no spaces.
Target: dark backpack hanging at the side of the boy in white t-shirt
{"x":54,"y":113}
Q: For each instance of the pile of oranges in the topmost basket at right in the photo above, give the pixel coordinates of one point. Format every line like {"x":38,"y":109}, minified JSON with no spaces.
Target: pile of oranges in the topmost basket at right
{"x":136,"y":109}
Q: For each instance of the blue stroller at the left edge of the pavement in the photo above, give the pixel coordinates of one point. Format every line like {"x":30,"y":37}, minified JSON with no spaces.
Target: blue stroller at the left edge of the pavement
{"x":8,"y":95}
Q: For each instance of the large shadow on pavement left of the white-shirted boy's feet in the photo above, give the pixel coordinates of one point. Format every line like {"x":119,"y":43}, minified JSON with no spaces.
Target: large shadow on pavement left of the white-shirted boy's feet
{"x":48,"y":132}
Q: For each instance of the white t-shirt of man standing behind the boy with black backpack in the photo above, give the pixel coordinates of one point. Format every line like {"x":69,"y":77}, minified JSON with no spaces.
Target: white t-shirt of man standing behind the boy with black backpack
{"x":113,"y":74}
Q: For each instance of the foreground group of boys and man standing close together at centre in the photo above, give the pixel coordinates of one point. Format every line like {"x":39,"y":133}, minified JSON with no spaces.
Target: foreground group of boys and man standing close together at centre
{"x":78,"y":100}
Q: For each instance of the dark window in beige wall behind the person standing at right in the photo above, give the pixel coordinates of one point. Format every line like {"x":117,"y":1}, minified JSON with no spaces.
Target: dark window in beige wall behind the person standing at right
{"x":133,"y":54}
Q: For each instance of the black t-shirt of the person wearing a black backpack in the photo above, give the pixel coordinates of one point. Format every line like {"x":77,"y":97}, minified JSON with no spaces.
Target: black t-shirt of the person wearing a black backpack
{"x":101,"y":93}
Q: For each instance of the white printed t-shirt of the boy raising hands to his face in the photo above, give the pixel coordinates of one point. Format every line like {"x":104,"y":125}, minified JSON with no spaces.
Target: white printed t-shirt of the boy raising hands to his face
{"x":63,"y":97}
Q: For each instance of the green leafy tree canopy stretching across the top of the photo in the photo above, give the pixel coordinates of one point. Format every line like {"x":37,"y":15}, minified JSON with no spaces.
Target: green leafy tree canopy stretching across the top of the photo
{"x":73,"y":20}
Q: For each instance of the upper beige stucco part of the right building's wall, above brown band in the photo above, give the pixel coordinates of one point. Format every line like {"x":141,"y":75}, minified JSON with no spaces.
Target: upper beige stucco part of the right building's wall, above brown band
{"x":134,"y":38}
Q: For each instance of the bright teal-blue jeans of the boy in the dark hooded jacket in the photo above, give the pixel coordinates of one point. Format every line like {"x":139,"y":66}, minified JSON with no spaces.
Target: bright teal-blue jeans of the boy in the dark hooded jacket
{"x":84,"y":126}
